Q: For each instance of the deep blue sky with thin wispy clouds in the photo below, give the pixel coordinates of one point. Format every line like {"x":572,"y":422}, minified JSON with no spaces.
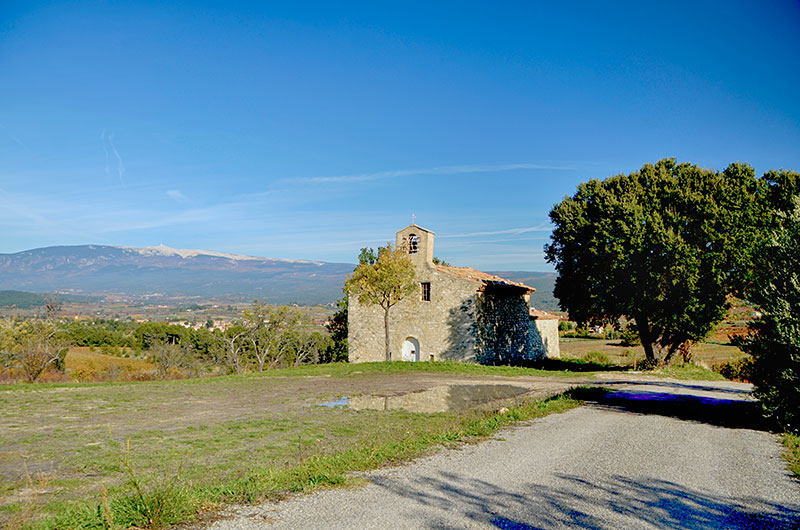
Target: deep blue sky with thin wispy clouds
{"x":311,"y":130}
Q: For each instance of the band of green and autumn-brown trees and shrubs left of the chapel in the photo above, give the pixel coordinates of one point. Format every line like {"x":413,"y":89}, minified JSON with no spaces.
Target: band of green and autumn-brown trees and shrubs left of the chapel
{"x":263,"y":338}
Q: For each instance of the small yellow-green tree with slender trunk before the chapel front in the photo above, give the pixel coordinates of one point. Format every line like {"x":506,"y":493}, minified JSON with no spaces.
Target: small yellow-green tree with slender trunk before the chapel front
{"x":383,"y":278}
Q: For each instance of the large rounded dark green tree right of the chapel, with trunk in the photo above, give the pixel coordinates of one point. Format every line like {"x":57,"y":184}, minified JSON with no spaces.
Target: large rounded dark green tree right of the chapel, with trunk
{"x":665,"y":246}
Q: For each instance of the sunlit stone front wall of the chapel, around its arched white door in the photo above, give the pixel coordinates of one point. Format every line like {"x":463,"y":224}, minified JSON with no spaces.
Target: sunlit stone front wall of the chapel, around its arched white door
{"x":444,"y":326}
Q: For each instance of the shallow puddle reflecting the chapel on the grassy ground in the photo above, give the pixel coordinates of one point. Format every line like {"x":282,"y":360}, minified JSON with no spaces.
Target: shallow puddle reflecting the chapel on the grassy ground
{"x":445,"y":398}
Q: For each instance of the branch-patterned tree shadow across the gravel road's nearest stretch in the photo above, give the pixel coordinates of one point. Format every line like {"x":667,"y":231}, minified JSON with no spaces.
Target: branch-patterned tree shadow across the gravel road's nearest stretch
{"x":573,"y":502}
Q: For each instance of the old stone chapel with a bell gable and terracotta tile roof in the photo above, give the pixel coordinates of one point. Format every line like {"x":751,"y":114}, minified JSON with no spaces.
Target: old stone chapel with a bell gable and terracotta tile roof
{"x":457,"y":314}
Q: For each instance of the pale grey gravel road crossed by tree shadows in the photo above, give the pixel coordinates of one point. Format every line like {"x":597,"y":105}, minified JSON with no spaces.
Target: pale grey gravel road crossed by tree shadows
{"x":602,"y":466}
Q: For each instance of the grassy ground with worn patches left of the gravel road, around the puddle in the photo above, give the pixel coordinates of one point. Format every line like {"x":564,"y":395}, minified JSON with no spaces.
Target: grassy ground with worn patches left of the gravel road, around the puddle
{"x":216,"y":440}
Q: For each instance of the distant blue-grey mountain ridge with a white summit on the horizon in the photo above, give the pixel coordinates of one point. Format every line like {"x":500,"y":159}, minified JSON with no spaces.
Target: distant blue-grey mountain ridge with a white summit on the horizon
{"x":161,"y":270}
